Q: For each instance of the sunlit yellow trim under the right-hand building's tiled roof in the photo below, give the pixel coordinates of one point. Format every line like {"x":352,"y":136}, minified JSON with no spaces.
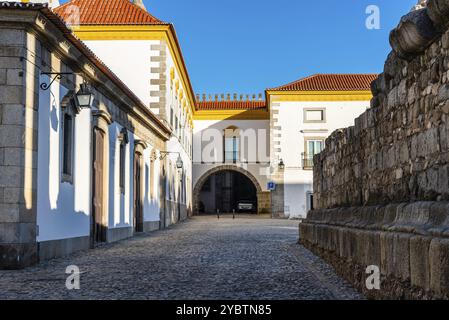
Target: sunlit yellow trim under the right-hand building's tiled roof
{"x":319,"y":95}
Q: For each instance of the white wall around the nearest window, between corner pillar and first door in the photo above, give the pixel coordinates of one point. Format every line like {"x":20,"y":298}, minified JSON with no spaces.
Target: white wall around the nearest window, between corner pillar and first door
{"x":63,"y":209}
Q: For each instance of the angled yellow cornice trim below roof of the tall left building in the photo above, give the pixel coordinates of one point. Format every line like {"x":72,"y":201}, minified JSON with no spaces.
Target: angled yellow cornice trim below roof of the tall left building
{"x":144,"y":32}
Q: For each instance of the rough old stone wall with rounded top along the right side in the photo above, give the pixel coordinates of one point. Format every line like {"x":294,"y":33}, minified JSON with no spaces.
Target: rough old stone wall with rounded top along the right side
{"x":369,"y":180}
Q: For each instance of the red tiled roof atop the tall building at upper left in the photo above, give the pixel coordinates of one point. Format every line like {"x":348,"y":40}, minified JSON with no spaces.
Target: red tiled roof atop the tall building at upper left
{"x":107,"y":12}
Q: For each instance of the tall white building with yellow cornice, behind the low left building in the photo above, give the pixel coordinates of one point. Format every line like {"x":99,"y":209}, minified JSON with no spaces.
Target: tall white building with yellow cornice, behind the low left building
{"x":144,"y":53}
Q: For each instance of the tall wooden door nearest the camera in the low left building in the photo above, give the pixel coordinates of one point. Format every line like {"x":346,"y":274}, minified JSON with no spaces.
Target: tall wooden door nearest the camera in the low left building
{"x":98,"y":228}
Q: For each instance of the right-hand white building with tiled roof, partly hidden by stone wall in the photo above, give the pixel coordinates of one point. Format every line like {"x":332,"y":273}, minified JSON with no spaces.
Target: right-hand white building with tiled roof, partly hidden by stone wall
{"x":302,"y":115}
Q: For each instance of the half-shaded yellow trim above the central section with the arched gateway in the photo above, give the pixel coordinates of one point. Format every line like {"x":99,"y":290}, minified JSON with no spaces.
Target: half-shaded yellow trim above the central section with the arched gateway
{"x":232,"y":115}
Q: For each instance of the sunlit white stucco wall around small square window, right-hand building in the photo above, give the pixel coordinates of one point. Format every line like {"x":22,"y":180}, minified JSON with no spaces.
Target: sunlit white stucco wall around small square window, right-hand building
{"x":294,"y":132}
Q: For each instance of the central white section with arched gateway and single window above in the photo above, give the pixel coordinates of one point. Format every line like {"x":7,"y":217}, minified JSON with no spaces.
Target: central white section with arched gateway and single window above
{"x":231,"y":162}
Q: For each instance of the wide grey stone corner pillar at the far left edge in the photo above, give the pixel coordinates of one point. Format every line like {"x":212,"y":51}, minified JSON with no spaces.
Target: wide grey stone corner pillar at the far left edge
{"x":19,"y":95}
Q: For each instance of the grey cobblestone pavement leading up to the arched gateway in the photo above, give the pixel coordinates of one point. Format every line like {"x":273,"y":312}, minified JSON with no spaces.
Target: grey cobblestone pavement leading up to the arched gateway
{"x":203,"y":258}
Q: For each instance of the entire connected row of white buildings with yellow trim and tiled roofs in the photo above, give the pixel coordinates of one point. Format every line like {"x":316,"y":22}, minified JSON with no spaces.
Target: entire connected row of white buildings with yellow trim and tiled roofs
{"x":145,"y":152}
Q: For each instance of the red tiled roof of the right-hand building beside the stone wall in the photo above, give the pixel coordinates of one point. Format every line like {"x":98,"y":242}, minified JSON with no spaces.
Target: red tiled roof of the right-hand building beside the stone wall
{"x":331,"y":82}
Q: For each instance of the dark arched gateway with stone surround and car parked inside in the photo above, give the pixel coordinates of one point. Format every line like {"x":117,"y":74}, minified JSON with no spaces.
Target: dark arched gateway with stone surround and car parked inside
{"x":238,"y":187}
